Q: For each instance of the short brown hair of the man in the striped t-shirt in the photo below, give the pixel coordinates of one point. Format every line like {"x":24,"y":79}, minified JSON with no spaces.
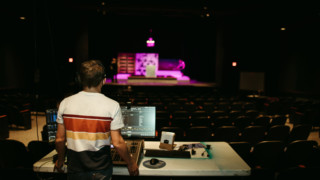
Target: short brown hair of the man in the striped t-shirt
{"x":91,"y":73}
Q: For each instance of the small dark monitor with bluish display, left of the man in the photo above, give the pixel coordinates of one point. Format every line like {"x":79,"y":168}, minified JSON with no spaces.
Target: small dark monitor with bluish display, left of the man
{"x":51,"y":117}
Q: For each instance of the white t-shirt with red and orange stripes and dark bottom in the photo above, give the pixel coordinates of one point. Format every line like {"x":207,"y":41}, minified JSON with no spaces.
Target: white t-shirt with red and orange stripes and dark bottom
{"x":88,"y":119}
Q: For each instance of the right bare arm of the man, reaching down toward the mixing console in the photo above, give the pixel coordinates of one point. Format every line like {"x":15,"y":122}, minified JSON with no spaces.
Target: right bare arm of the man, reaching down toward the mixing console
{"x":122,"y":150}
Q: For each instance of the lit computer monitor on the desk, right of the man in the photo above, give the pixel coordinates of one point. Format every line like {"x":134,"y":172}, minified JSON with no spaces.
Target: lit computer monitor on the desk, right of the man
{"x":139,"y":122}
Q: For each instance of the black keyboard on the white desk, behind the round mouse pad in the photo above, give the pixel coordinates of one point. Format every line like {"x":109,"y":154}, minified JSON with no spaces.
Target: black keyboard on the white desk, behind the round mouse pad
{"x":167,"y":154}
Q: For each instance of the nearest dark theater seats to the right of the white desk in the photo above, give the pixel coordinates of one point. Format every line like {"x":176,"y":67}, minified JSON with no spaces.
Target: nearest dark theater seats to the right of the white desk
{"x":275,"y":160}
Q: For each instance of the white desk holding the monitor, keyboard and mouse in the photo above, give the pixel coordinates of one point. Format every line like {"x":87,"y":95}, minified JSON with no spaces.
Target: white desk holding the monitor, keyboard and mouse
{"x":224,"y":162}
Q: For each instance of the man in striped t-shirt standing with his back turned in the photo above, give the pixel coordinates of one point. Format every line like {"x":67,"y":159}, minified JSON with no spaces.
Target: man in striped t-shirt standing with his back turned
{"x":87,"y":122}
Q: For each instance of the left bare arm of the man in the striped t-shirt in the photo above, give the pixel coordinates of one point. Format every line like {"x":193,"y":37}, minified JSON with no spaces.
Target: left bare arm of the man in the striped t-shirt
{"x":60,"y":147}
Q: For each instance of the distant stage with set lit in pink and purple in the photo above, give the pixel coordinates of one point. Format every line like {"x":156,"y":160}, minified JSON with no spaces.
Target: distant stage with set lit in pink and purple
{"x":148,"y":69}
